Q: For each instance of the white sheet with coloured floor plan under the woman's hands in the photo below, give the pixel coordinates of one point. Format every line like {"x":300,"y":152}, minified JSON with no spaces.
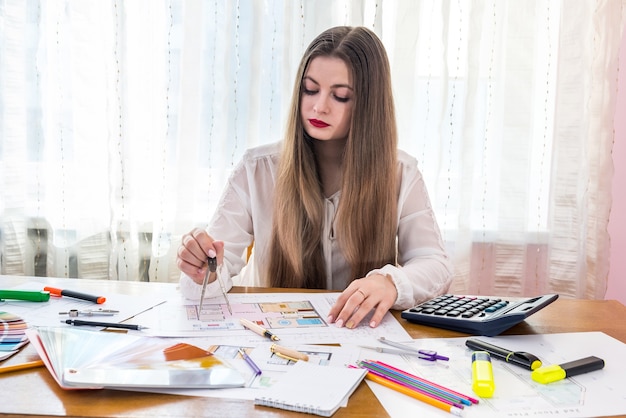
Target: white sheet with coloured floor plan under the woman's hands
{"x":179,"y":318}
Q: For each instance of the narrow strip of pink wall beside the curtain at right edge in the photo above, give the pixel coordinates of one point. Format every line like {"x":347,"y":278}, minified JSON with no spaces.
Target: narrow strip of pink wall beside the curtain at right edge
{"x":617,"y":221}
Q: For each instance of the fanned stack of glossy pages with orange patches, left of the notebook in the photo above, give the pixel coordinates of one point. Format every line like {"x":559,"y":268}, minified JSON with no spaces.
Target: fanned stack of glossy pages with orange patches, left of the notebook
{"x":88,"y":359}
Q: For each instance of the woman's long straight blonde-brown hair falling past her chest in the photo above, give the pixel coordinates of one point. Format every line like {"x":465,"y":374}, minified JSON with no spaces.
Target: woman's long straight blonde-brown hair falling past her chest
{"x":367,"y":213}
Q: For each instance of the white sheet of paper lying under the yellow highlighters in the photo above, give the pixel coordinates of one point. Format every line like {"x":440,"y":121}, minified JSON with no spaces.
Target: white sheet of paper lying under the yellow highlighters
{"x":598,"y":393}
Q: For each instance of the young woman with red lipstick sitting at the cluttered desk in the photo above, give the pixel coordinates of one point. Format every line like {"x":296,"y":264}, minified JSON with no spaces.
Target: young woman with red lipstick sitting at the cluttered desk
{"x":335,"y":205}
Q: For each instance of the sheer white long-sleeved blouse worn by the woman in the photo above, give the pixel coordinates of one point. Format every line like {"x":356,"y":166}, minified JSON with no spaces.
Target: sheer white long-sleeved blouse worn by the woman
{"x":244,"y":215}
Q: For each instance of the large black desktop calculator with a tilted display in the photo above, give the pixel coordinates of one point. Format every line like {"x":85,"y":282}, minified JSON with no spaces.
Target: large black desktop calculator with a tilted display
{"x":478,"y":315}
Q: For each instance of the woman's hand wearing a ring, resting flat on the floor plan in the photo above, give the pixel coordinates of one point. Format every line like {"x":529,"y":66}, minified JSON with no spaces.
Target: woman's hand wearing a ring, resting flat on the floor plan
{"x":376,"y":292}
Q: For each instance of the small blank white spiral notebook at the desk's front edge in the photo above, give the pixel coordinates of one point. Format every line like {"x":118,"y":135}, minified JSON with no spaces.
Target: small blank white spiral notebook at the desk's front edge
{"x":313,"y":389}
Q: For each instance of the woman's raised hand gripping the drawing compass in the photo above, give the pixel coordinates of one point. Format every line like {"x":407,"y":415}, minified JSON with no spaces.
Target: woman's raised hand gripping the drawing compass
{"x":195,"y":248}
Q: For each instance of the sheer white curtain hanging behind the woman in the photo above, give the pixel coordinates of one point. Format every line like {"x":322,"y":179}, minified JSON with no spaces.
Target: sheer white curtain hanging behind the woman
{"x":120,"y":121}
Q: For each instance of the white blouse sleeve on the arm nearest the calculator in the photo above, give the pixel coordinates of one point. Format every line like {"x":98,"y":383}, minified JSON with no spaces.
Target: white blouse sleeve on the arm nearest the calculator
{"x":424,"y":269}
